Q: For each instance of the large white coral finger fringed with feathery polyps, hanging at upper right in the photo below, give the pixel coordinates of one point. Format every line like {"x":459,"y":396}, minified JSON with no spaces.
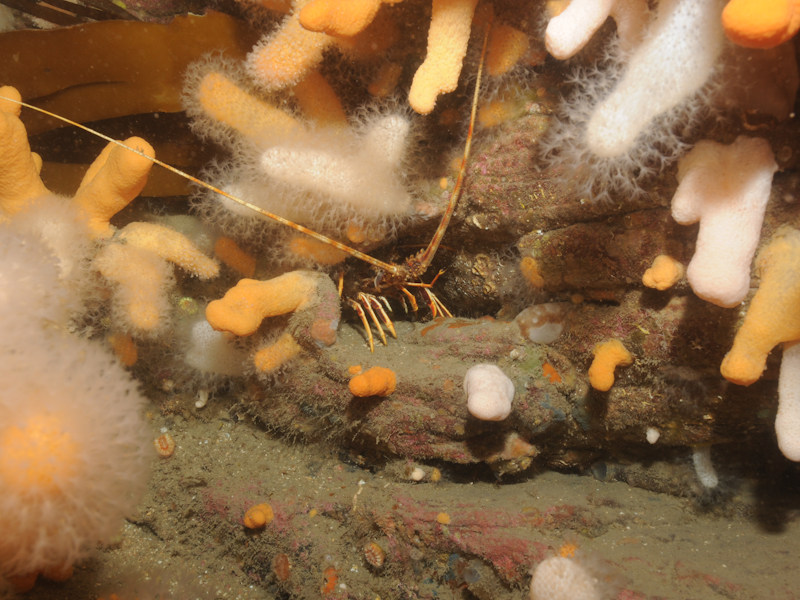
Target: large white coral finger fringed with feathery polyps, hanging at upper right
{"x":629,"y":114}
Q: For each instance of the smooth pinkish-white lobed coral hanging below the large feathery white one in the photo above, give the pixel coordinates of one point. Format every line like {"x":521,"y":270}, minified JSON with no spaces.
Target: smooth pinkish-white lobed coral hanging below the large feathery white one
{"x":726,"y":188}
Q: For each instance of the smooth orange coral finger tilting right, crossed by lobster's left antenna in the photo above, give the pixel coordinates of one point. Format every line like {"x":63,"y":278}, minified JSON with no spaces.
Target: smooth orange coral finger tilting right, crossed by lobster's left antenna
{"x":113,"y":180}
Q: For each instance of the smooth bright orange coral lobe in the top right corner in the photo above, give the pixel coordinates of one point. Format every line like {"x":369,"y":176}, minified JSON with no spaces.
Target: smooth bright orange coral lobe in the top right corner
{"x":761,"y":23}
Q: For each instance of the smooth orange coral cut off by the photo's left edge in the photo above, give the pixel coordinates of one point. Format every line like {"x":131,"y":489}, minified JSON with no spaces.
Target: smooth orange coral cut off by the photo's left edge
{"x":19,"y":167}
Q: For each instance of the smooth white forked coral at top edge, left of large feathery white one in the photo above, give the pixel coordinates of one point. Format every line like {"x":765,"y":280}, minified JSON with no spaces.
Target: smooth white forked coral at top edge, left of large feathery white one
{"x":568,"y":32}
